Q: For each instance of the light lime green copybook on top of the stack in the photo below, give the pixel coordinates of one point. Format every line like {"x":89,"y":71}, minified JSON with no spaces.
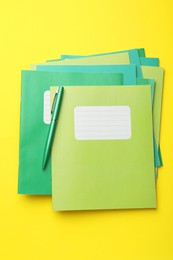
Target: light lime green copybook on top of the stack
{"x":97,"y":160}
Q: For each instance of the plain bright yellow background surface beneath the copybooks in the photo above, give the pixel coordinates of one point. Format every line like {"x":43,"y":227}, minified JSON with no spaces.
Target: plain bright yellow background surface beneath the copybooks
{"x":32,"y":31}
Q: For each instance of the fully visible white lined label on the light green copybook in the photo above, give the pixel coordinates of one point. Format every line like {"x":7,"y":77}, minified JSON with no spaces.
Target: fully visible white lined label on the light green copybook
{"x":102,"y":122}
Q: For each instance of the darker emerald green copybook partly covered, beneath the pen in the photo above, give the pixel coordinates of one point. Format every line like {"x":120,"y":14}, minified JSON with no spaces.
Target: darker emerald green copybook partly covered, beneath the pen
{"x":35,"y":119}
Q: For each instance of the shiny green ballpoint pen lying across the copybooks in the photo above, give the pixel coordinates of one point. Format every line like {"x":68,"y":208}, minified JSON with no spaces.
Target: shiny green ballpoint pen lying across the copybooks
{"x":55,"y":112}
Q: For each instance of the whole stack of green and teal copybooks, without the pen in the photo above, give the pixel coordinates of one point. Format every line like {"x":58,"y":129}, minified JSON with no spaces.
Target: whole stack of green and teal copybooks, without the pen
{"x":105,"y":151}
